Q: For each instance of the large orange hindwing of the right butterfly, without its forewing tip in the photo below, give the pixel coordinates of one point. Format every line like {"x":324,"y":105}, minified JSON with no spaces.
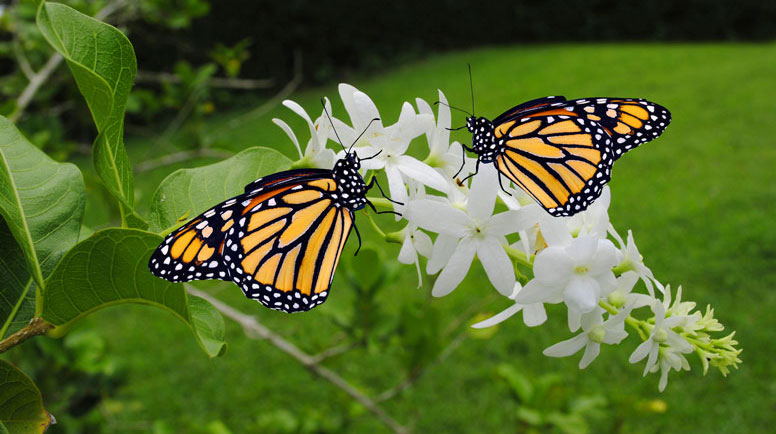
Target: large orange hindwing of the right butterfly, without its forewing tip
{"x":559,"y":159}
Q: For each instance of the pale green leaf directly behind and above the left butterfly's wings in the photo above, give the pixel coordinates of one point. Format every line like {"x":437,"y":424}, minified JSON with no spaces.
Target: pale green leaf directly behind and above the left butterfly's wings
{"x":188,"y":192}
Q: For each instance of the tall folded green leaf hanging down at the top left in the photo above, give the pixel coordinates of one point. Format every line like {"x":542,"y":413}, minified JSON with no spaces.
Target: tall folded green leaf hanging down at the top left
{"x":104,"y":66}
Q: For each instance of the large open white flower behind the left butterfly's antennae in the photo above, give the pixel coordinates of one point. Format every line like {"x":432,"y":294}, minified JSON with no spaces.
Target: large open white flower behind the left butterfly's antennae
{"x":388,"y":144}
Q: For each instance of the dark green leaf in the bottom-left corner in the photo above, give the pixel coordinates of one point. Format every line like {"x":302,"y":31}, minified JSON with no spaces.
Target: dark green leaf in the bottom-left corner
{"x":21,"y":406}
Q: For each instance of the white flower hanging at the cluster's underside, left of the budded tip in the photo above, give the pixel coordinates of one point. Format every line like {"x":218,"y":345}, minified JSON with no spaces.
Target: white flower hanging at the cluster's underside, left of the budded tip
{"x":595,"y":332}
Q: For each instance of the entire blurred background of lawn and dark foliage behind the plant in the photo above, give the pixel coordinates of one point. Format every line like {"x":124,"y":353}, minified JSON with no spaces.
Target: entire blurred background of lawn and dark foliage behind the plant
{"x":700,"y":202}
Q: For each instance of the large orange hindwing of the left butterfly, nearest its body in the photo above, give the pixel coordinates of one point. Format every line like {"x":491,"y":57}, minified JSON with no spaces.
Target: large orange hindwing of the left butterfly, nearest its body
{"x":285,"y":246}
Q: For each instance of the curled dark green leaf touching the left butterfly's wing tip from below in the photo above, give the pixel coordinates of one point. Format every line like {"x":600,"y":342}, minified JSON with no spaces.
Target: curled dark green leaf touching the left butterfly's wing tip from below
{"x":111,"y":267}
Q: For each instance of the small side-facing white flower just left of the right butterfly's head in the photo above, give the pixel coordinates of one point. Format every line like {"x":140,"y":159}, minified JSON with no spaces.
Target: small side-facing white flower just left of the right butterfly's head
{"x":443,"y":155}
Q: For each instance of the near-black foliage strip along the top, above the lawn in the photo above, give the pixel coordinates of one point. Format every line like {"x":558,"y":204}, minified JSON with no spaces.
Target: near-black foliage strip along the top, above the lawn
{"x":347,"y":35}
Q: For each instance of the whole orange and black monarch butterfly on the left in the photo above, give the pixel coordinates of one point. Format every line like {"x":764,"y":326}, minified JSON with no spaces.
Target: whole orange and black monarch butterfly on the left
{"x":279,"y":241}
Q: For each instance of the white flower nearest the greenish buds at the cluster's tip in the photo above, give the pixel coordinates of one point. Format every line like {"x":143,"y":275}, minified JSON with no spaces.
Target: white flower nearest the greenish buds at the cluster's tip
{"x":662,"y":337}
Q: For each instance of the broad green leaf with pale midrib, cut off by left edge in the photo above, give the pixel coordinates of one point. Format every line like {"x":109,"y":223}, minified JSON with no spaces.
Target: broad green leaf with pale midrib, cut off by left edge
{"x":41,"y":203}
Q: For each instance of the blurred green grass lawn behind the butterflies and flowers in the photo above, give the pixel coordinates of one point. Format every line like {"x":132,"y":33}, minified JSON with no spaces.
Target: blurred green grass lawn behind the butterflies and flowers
{"x":700,"y":201}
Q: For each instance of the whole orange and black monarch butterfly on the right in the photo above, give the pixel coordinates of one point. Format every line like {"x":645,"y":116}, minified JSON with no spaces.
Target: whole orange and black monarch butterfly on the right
{"x":561,"y":152}
